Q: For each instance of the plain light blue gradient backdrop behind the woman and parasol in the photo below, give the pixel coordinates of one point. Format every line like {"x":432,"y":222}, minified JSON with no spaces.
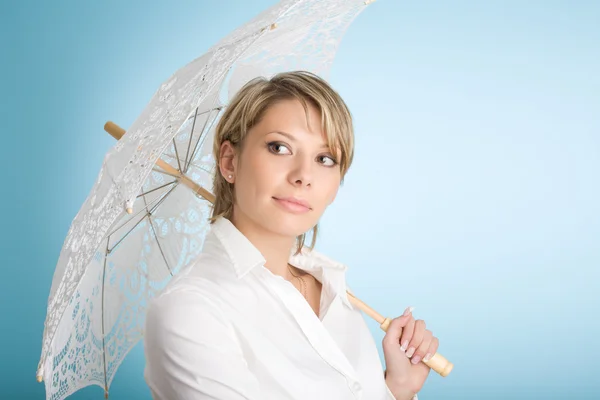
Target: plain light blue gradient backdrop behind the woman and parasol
{"x":475,"y":194}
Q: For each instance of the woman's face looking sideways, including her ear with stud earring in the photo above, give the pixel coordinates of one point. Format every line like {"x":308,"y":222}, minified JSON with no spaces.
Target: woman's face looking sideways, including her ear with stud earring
{"x":284,"y":161}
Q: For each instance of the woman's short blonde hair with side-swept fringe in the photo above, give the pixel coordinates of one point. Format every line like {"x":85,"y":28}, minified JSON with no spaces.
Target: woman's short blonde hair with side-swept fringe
{"x":250,"y":104}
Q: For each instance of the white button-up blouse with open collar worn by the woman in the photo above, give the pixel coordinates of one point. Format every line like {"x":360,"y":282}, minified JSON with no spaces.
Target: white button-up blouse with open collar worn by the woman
{"x":227,"y":328}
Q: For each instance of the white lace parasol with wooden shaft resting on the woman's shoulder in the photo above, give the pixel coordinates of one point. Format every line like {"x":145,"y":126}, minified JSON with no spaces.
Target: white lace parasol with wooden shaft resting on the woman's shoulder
{"x":141,"y":222}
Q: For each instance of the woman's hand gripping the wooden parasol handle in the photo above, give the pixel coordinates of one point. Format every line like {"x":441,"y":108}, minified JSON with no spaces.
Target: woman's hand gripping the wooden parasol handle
{"x":405,"y":344}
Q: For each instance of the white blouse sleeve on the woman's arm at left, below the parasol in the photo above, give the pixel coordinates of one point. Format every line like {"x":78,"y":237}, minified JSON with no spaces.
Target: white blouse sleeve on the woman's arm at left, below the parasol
{"x":192,"y":352}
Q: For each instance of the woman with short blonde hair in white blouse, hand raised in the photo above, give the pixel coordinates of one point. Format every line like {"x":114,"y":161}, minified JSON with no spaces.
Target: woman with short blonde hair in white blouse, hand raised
{"x":259,"y":315}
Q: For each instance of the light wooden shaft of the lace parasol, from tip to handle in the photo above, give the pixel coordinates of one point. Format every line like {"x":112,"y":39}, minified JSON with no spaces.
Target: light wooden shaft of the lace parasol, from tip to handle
{"x":437,"y":363}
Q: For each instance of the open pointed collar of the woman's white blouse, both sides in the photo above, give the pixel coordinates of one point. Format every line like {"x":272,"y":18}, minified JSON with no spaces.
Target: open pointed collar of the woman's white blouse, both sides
{"x":244,"y":257}
